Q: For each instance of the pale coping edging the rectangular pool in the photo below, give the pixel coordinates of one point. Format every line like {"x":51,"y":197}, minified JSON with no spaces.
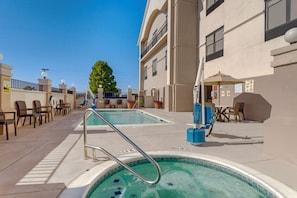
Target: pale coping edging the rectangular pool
{"x":79,"y":127}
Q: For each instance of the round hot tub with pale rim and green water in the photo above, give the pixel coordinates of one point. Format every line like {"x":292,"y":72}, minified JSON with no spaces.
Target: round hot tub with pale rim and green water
{"x":185,"y":178}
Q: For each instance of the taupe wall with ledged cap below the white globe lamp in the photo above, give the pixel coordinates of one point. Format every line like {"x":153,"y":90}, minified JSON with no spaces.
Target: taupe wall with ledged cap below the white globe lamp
{"x":279,"y":132}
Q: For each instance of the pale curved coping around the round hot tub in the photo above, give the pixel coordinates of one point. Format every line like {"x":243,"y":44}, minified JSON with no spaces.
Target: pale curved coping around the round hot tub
{"x":82,"y":184}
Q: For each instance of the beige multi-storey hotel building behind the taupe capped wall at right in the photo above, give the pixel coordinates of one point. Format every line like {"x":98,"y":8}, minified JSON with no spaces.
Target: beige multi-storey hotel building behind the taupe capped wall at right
{"x":235,"y":37}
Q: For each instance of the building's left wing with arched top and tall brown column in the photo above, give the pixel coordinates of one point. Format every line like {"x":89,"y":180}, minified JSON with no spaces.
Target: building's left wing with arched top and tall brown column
{"x":176,"y":83}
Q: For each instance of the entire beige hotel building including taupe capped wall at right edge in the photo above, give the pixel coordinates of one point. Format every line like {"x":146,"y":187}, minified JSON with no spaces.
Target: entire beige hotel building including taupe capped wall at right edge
{"x":244,"y":39}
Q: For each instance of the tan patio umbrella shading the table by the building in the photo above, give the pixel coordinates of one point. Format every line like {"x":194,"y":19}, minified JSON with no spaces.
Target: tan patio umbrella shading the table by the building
{"x":221,"y":79}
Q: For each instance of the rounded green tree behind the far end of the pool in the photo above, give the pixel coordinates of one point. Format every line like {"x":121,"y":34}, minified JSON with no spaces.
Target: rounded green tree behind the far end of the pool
{"x":102,"y":75}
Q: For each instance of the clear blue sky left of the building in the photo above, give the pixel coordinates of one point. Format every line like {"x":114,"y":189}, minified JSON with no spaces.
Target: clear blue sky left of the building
{"x":69,"y":36}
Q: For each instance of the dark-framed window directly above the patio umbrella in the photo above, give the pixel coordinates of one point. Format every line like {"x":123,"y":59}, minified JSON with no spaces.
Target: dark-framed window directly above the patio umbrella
{"x":215,"y":44}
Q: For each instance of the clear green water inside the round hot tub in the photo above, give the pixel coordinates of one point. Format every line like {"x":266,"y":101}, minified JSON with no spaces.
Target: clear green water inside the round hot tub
{"x":181,"y":178}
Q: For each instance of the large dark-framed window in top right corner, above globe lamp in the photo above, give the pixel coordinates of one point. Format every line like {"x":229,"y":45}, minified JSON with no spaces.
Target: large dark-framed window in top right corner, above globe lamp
{"x":280,"y":15}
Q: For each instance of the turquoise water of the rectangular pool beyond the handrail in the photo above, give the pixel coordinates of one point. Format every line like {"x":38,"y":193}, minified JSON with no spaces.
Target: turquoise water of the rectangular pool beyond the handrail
{"x":124,"y":117}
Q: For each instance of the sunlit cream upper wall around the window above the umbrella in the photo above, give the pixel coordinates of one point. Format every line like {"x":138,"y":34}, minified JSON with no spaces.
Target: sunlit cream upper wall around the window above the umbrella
{"x":245,"y":48}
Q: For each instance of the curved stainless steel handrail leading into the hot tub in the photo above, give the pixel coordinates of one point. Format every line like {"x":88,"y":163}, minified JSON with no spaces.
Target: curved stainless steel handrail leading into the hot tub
{"x":149,"y":158}
